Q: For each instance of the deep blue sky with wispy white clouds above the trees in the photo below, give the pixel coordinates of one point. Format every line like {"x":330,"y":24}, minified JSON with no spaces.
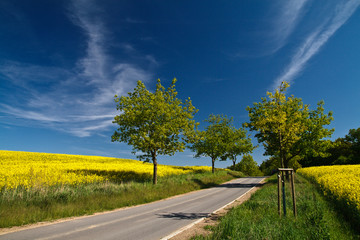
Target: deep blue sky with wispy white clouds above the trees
{"x":62,"y":62}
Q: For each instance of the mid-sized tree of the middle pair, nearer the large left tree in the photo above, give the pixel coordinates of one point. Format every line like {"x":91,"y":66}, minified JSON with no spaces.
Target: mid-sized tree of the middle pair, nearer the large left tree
{"x":213,"y":141}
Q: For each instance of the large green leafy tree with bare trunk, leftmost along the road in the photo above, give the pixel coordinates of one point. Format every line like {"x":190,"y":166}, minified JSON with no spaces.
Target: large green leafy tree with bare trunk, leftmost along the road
{"x":154,"y":123}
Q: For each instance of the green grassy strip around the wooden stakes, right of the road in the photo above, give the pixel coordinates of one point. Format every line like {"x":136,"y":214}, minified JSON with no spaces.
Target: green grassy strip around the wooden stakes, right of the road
{"x":258,"y":218}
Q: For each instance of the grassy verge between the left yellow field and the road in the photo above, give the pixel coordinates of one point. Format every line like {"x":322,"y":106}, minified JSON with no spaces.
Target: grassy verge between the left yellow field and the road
{"x":20,"y":206}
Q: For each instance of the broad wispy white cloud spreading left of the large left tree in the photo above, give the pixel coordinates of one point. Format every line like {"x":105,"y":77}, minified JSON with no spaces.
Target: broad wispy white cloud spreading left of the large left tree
{"x":78,"y":100}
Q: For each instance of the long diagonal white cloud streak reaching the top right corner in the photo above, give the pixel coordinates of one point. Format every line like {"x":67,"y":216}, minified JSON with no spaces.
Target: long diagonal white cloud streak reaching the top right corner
{"x":316,"y":39}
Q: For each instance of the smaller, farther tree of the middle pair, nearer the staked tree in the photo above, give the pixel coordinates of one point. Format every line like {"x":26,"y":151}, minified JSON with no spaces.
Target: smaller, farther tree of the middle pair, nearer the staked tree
{"x":238,"y":143}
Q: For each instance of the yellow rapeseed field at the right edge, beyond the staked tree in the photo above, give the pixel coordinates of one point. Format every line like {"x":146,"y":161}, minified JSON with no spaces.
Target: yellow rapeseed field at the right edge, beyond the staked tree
{"x":339,"y":181}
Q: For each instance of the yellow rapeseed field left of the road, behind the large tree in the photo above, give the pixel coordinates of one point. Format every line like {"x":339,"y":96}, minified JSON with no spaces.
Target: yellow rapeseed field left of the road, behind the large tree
{"x":29,"y":170}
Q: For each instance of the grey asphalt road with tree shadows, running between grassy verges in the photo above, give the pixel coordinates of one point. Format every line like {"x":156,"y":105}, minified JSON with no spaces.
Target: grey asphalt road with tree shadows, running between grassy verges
{"x":150,"y":221}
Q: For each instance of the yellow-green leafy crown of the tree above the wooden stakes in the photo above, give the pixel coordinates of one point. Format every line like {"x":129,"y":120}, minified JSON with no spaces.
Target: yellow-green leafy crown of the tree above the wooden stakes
{"x":287,"y":128}
